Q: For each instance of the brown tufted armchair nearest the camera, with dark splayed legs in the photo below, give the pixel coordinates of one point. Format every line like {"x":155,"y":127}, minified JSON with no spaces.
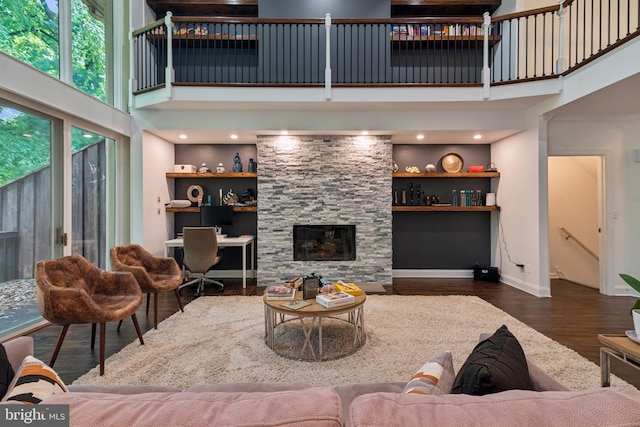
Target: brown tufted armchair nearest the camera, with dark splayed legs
{"x":72,"y":290}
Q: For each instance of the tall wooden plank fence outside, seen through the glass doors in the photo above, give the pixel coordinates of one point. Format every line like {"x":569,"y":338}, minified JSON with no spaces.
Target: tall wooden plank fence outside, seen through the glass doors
{"x":25,"y":215}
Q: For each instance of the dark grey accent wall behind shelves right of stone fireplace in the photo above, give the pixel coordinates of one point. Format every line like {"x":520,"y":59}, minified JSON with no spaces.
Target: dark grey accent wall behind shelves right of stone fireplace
{"x":441,"y":240}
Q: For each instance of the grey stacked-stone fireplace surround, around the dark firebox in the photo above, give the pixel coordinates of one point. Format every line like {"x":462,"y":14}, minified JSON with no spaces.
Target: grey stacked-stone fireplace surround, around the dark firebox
{"x":325,"y":179}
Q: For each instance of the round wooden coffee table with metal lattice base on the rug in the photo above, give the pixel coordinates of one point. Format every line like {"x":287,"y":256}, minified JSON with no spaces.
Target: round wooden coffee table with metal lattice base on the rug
{"x":314,"y":333}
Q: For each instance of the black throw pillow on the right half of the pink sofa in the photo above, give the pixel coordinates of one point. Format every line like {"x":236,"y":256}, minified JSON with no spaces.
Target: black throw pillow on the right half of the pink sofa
{"x":495,"y":364}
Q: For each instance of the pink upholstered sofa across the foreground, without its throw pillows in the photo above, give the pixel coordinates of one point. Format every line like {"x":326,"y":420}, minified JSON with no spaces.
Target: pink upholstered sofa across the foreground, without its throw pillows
{"x":382,"y":404}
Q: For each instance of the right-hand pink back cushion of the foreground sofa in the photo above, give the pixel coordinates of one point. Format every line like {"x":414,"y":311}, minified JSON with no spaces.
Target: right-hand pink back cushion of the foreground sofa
{"x":522,"y":408}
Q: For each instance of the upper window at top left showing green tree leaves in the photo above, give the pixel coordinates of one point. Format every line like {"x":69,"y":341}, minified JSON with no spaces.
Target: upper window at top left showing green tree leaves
{"x":32,"y":31}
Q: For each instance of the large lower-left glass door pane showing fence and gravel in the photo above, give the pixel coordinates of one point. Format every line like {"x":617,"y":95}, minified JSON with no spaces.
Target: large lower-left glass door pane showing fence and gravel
{"x":25,"y":212}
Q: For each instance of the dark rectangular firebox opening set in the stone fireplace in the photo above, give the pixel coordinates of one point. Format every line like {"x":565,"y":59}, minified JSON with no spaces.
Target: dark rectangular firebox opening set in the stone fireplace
{"x":324,"y":242}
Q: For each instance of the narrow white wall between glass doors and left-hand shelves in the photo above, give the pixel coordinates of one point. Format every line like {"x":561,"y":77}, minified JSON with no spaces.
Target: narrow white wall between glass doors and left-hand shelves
{"x":157,"y":158}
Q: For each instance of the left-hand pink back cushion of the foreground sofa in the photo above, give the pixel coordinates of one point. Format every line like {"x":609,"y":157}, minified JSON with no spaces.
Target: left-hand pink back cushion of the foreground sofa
{"x":312,"y":407}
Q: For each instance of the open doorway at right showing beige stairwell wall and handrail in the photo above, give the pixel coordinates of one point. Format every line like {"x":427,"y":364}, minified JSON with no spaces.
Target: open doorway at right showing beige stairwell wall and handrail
{"x":575,"y":217}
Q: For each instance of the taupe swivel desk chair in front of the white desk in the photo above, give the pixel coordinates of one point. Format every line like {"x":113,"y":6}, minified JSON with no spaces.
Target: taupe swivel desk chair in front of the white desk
{"x":200,"y":256}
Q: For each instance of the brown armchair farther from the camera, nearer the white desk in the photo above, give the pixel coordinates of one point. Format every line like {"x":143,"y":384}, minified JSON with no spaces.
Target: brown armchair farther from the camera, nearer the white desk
{"x":153,"y":274}
